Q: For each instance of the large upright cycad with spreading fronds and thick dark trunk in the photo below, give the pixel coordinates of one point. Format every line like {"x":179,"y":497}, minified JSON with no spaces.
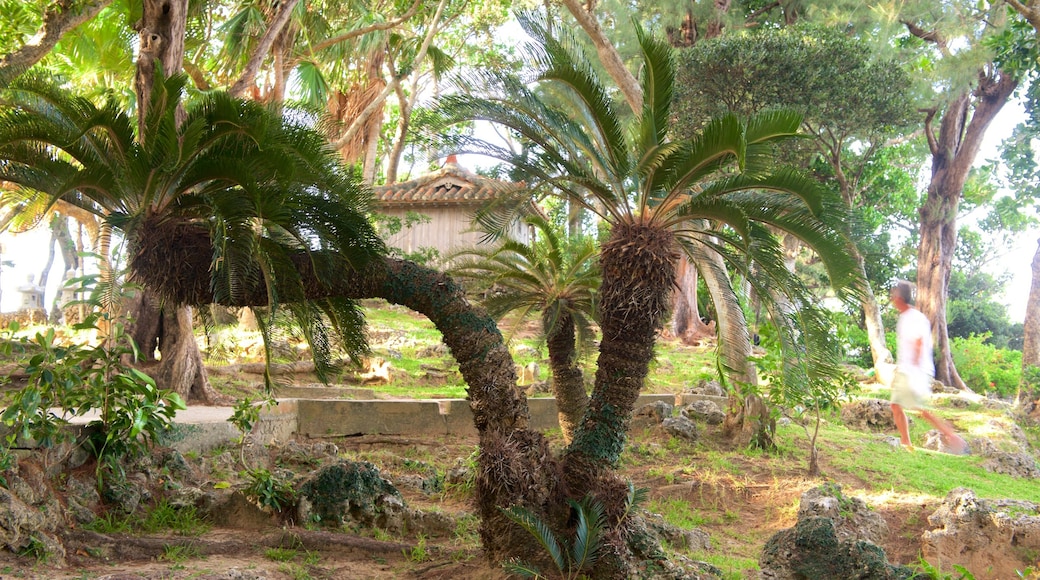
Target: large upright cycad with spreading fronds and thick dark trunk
{"x":716,"y":196}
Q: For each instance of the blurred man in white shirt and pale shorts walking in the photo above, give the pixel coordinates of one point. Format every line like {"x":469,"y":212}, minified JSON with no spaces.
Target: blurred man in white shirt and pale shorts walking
{"x":915,"y":370}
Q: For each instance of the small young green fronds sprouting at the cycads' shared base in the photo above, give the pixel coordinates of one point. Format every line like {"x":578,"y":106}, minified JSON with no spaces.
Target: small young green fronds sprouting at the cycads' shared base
{"x":571,"y":561}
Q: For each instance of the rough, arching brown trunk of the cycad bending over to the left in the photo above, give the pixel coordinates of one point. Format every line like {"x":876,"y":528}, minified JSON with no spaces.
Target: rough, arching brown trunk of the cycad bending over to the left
{"x":515,"y":466}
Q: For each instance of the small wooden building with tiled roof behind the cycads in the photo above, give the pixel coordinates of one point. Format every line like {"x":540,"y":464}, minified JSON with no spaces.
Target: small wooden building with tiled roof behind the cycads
{"x":451,"y":198}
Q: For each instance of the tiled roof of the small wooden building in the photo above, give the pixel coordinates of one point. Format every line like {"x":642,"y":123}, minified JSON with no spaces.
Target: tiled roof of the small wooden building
{"x":450,"y":187}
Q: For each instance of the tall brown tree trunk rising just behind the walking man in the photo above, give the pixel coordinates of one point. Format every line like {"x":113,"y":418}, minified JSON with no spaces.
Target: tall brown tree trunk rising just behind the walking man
{"x":954,"y":151}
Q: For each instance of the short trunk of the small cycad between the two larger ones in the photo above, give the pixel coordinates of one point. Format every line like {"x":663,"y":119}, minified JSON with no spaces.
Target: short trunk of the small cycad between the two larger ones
{"x":568,"y":384}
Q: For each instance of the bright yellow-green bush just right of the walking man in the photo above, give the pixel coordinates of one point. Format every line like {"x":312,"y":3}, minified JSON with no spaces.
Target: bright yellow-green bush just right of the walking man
{"x":986,"y":368}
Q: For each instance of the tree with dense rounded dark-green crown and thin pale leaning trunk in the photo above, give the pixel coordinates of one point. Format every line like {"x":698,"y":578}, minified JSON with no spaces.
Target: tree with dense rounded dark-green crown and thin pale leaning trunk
{"x":852,"y":102}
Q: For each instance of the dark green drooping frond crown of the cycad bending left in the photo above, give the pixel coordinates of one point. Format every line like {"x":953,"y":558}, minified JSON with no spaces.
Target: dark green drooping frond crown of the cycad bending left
{"x":233,"y":205}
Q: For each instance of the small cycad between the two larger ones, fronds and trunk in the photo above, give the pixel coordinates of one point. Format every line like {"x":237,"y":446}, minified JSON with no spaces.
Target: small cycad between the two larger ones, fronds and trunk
{"x":555,"y":277}
